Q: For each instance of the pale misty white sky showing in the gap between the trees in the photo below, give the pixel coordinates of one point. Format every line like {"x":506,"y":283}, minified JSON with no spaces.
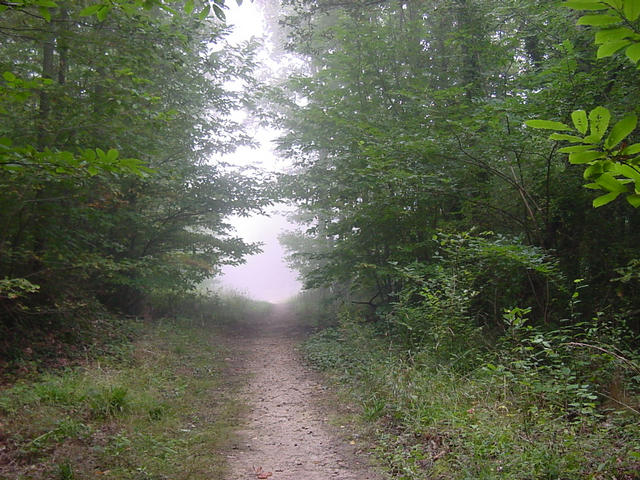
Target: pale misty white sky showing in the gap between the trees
{"x":264,"y":276}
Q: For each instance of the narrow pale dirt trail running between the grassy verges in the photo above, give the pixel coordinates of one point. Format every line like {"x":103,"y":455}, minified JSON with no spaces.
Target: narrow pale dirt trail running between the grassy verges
{"x":285,"y":430}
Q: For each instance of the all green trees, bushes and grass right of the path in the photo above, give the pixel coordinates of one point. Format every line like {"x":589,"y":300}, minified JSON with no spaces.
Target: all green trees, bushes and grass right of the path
{"x":491,"y":328}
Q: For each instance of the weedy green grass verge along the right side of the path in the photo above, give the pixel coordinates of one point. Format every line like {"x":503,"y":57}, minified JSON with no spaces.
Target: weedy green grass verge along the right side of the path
{"x":430,"y":420}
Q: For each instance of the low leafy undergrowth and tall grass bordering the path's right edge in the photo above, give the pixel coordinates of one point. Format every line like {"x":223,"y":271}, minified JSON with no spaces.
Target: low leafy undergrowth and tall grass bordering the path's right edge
{"x":519,"y":411}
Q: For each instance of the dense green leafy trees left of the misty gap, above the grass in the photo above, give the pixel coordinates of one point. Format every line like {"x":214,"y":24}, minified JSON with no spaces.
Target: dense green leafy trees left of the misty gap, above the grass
{"x":111,"y":128}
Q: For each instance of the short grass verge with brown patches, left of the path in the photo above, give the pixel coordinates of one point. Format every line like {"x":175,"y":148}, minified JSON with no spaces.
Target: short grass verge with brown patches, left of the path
{"x":157,"y":410}
